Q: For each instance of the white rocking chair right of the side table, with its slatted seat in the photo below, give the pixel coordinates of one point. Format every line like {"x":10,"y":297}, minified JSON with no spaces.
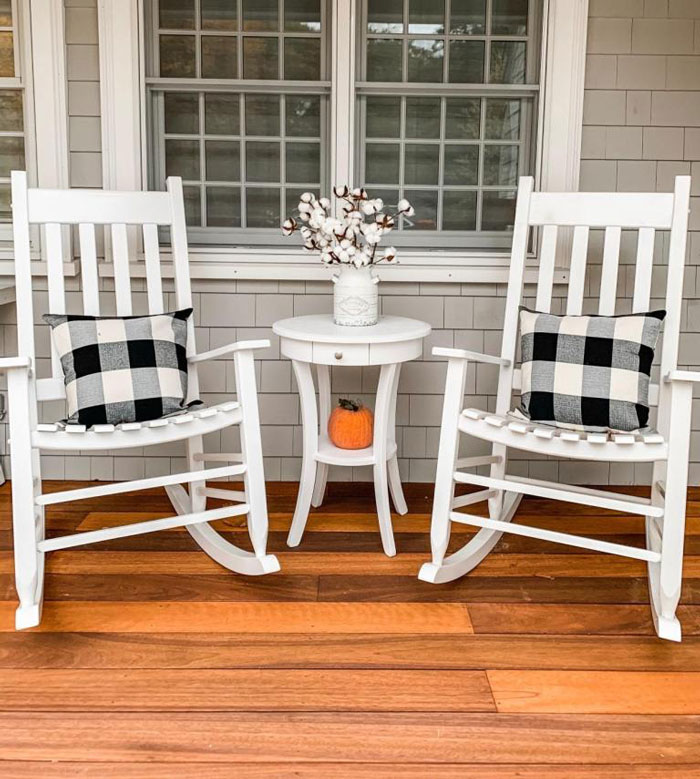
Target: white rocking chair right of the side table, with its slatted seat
{"x":667,"y":449}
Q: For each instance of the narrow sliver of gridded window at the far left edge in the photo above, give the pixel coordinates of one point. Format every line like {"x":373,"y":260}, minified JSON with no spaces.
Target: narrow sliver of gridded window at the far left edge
{"x":12,"y":154}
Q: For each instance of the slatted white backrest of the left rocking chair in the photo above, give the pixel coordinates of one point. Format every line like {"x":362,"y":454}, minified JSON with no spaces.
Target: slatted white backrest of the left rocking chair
{"x":52,"y":209}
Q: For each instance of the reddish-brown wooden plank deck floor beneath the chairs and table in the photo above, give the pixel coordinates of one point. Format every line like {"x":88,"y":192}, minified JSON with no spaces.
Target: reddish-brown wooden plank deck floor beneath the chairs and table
{"x":151,"y":660}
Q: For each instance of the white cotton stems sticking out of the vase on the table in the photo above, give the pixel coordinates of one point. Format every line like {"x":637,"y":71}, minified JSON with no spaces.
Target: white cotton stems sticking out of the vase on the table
{"x":352,"y":239}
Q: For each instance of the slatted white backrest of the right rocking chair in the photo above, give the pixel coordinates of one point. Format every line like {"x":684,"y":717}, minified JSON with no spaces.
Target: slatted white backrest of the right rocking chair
{"x":612,"y":212}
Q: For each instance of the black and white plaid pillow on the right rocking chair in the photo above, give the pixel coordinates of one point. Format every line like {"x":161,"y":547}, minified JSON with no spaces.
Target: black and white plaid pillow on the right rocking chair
{"x":588,"y":372}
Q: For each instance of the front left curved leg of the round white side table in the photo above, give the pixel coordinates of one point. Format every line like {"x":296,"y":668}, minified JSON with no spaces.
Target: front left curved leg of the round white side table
{"x":309,"y":419}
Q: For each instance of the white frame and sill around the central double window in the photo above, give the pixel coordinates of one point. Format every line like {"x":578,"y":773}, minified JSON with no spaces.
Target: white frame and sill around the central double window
{"x":560,"y":118}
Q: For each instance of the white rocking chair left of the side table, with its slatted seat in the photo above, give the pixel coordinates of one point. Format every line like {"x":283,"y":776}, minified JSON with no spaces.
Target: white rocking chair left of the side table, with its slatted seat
{"x":148,"y":210}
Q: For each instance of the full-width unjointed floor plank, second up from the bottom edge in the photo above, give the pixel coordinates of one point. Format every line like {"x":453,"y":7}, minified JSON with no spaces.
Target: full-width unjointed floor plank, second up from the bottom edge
{"x":347,"y":737}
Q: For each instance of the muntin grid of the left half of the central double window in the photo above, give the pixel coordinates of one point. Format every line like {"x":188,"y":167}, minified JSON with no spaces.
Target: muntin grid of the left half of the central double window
{"x":243,"y":88}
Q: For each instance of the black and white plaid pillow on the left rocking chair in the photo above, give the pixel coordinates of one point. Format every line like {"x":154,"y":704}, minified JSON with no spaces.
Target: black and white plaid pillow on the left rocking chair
{"x":122,"y":369}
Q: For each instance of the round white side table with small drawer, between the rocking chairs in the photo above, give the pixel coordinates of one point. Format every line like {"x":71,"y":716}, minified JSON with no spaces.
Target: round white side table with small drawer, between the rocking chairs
{"x":316,"y":340}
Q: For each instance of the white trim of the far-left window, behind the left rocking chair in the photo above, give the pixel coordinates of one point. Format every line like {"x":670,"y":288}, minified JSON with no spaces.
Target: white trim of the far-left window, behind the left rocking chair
{"x":40,"y":54}
